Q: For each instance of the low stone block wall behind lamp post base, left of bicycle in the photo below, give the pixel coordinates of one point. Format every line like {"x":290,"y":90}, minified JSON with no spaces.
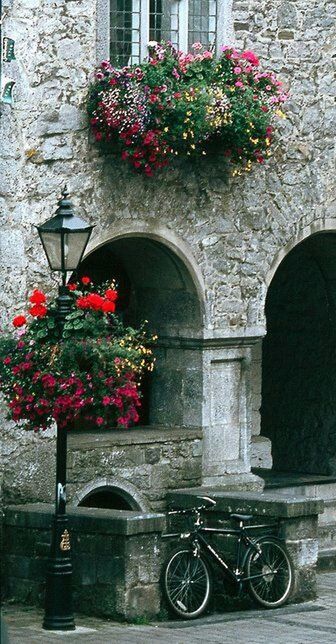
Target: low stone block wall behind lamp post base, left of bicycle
{"x":116,"y":559}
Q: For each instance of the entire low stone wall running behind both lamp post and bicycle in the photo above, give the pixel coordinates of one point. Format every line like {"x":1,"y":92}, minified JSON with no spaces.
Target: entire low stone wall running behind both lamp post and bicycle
{"x":118,"y":556}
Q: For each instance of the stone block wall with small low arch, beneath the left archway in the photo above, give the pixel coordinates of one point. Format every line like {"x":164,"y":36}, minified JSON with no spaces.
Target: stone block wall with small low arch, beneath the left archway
{"x":144,"y":463}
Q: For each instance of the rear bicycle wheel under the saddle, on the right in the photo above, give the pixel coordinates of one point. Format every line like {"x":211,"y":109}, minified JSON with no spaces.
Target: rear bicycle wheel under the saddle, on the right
{"x":272,"y":572}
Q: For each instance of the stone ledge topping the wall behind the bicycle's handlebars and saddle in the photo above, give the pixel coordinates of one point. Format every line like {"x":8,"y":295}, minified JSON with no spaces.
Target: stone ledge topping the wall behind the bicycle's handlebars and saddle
{"x":262,"y":504}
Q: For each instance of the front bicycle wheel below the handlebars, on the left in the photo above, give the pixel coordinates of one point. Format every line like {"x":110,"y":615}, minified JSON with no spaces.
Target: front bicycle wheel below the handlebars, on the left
{"x":187,"y":583}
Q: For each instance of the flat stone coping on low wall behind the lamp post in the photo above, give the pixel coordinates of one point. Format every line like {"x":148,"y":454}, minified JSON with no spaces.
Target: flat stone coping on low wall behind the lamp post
{"x":95,"y":520}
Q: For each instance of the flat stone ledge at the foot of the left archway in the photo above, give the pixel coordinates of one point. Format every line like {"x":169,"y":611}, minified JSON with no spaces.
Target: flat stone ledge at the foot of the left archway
{"x":87,"y":439}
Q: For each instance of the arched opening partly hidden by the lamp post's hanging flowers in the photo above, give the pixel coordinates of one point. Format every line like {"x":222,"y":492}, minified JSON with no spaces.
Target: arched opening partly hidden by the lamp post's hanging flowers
{"x":155,"y":285}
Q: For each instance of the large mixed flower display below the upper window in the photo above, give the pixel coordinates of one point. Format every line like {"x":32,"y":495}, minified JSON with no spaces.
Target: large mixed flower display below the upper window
{"x":178,"y":104}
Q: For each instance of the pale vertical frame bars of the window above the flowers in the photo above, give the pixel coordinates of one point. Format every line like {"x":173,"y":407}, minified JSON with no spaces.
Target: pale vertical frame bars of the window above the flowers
{"x":224,"y":27}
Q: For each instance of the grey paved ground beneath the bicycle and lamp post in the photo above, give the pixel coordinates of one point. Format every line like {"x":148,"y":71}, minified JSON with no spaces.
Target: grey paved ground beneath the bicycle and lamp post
{"x":309,"y":623}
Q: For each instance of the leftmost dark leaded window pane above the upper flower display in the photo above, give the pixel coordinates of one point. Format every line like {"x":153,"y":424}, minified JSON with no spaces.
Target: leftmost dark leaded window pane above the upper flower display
{"x":124,"y":32}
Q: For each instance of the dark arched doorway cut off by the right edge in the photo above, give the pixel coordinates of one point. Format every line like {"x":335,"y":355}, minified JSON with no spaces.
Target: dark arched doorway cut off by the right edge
{"x":298,"y":411}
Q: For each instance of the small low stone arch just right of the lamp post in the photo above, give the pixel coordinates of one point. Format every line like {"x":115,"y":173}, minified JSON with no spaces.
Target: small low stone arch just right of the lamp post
{"x":117,"y":487}
